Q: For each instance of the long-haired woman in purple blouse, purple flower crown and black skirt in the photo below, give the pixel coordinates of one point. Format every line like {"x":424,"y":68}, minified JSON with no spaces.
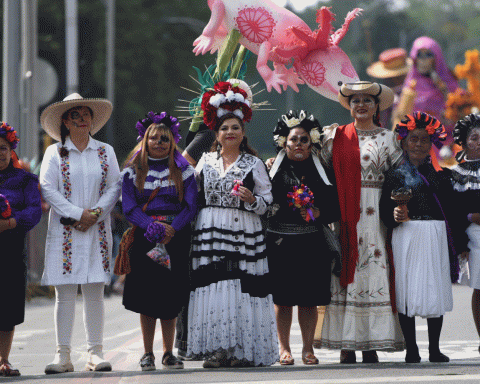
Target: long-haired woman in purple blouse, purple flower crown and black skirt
{"x":152,"y":289}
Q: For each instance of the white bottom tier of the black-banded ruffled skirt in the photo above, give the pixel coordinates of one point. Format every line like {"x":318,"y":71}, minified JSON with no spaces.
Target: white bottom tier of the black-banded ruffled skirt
{"x":222,"y":318}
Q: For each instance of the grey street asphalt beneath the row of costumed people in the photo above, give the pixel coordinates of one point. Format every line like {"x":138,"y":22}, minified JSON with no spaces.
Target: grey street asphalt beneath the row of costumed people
{"x":34,"y":347}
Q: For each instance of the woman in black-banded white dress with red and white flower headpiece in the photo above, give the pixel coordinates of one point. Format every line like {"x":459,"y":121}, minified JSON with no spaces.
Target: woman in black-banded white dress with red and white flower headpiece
{"x":231,"y":316}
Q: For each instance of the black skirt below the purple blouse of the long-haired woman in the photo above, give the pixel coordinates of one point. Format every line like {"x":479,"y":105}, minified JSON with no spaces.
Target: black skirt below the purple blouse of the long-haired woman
{"x":154,"y":290}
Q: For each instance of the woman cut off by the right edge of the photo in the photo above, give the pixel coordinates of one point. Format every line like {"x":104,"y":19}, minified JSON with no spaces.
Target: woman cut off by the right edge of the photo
{"x":466,"y":182}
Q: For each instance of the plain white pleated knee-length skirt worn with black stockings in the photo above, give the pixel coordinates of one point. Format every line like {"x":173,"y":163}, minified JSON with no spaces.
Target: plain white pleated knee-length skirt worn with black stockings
{"x":422,"y":268}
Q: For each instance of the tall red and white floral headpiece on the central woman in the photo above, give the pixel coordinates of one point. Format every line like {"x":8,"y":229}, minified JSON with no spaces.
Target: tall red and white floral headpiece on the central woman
{"x":223,"y":99}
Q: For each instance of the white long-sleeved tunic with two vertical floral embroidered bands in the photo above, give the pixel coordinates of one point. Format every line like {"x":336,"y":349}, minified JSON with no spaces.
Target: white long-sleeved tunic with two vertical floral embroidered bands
{"x":81,"y":180}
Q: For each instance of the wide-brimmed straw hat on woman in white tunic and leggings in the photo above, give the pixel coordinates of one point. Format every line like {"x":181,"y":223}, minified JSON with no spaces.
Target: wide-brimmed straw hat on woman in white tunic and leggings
{"x":51,"y":118}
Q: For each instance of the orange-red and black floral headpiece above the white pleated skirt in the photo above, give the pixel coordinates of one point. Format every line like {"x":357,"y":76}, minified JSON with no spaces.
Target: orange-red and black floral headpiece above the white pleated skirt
{"x":434,"y":127}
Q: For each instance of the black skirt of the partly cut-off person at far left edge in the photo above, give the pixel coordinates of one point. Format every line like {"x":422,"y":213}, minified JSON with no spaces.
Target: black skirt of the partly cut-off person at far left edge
{"x":13,"y":273}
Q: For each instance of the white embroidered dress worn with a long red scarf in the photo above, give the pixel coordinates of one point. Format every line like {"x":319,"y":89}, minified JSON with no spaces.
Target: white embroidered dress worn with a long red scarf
{"x":360,"y":316}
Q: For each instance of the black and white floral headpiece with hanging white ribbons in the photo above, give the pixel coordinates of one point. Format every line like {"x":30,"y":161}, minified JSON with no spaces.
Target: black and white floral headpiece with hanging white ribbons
{"x":296,"y":119}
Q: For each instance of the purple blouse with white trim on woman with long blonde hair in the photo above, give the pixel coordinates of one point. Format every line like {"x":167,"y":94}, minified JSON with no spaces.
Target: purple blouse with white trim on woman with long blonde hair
{"x":166,"y":202}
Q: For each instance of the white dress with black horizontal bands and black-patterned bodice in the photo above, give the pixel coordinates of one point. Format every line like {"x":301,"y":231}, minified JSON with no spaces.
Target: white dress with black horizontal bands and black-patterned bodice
{"x":229,"y":309}
